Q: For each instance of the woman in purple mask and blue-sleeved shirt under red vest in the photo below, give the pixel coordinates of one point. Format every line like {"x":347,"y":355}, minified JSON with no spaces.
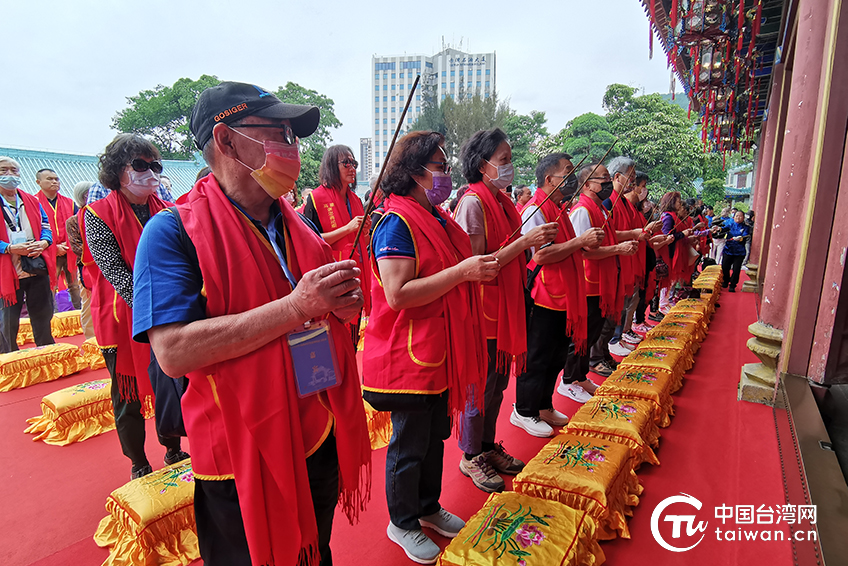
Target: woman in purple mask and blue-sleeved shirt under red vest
{"x":425,"y":347}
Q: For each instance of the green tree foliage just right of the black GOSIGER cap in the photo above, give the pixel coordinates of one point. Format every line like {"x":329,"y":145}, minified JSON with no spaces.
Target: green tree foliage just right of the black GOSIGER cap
{"x":313,"y":147}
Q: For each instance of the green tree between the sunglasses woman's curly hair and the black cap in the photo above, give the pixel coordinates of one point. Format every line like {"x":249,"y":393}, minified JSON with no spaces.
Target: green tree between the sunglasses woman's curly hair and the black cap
{"x":161,"y":115}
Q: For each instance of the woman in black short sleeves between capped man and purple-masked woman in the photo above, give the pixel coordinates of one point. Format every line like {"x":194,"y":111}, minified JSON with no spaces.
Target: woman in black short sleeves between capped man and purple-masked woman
{"x":338,"y":213}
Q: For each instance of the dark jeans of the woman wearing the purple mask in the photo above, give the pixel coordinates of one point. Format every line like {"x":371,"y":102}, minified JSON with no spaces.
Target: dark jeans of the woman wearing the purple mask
{"x":414,"y":458}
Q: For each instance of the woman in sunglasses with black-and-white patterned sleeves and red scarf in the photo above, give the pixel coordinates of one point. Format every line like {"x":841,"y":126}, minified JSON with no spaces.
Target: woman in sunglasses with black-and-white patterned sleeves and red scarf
{"x":130,"y":168}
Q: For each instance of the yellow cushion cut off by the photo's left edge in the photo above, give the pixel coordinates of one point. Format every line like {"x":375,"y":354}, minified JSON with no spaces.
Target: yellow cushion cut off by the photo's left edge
{"x":37,"y":365}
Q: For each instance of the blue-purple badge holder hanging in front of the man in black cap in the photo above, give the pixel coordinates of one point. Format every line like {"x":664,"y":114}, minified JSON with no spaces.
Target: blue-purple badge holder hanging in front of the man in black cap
{"x":314,"y":358}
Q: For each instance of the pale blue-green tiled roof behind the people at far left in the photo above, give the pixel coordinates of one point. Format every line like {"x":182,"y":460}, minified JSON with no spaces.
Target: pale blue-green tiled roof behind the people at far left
{"x":74,"y":168}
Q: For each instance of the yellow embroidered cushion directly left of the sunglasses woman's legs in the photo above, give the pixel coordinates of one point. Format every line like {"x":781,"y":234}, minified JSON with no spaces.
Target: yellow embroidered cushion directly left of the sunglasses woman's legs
{"x":74,"y":414}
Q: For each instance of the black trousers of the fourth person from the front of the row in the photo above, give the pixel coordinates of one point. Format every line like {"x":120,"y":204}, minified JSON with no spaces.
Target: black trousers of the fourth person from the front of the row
{"x":547,"y":350}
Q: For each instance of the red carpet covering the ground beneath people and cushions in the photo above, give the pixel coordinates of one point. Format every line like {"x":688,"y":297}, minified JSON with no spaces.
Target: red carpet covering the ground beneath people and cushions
{"x":717,"y":449}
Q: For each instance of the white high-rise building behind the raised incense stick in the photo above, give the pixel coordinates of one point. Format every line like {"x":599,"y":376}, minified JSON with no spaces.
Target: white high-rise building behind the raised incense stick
{"x":448,"y":73}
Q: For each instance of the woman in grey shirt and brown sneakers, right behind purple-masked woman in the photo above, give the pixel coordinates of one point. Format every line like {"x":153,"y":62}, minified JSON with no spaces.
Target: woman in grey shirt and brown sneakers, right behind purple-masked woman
{"x":489,"y":217}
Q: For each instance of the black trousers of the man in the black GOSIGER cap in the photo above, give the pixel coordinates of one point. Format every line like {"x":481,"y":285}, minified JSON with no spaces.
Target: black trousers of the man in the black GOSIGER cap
{"x":220,"y":528}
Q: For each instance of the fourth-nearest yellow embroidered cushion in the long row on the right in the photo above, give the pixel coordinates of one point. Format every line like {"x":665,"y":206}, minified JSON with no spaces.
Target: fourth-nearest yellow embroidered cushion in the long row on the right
{"x":653,"y":386}
